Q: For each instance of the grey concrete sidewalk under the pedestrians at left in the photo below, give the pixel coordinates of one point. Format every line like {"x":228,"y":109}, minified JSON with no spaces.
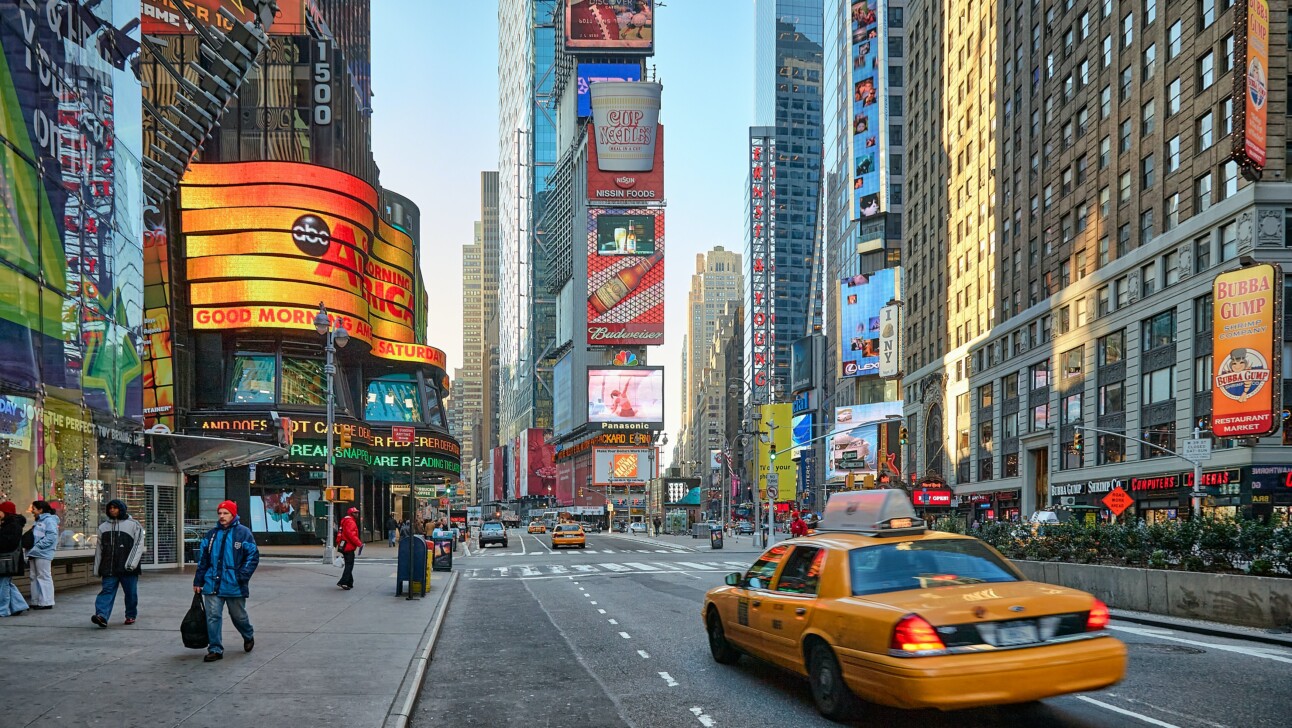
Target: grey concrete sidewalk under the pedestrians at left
{"x":324,"y":656}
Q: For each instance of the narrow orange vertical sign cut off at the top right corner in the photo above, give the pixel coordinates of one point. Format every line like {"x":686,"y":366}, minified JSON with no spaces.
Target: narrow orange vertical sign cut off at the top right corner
{"x":1253,"y":47}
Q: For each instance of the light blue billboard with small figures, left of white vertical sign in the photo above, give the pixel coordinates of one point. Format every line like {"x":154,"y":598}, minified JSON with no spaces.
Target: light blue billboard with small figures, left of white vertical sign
{"x":861,"y":299}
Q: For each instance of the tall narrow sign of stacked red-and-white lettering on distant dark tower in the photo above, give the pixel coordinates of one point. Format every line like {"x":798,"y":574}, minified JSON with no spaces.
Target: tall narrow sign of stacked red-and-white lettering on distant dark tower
{"x":760,"y":306}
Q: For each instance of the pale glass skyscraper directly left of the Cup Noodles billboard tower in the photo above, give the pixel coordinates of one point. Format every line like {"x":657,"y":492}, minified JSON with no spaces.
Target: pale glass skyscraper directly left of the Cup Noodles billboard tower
{"x":526,"y":156}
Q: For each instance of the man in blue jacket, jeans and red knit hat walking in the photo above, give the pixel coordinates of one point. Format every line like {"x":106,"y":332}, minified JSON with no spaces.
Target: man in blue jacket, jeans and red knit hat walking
{"x":227,"y":563}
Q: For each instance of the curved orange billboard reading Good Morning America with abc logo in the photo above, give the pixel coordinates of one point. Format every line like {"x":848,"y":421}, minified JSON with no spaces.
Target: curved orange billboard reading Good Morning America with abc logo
{"x":269,"y":241}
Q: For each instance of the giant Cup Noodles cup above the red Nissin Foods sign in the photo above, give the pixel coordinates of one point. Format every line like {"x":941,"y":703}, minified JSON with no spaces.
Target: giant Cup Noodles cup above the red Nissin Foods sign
{"x":626,"y":117}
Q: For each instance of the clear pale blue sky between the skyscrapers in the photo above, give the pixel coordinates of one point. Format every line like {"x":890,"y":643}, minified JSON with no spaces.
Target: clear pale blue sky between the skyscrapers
{"x":435,"y":78}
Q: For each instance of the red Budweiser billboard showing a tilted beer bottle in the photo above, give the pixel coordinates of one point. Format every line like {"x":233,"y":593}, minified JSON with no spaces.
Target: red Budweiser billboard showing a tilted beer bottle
{"x":626,"y":286}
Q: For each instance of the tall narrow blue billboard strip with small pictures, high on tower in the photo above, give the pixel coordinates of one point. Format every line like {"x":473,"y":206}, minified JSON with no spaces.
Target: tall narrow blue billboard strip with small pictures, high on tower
{"x":866,"y":109}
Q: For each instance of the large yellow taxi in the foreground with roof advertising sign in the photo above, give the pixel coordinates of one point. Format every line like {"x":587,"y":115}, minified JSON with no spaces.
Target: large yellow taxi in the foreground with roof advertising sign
{"x":875,"y":607}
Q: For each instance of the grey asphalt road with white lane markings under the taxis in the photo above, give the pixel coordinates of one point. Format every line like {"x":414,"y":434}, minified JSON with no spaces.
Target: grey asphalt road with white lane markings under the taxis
{"x":612,"y":637}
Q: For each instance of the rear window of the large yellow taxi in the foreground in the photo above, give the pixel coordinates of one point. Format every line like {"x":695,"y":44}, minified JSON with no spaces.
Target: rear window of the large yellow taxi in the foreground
{"x":926,"y":564}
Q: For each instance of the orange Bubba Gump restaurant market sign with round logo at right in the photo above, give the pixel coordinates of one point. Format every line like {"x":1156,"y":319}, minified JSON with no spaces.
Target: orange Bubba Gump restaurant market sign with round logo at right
{"x":1246,"y":342}
